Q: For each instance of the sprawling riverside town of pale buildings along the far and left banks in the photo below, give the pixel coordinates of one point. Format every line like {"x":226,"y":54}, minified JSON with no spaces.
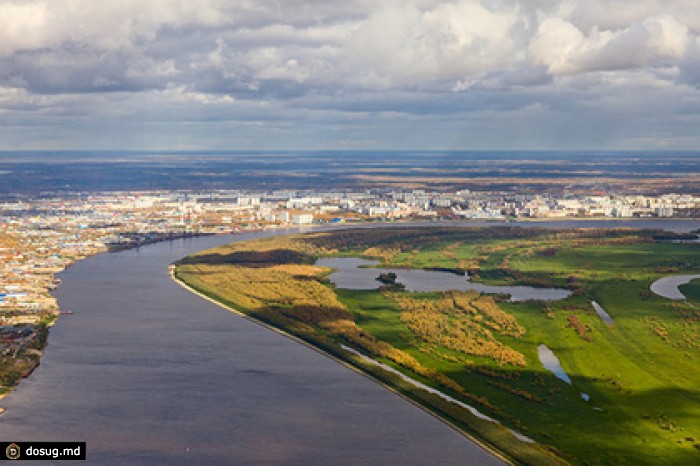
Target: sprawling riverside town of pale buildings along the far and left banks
{"x":40,"y":237}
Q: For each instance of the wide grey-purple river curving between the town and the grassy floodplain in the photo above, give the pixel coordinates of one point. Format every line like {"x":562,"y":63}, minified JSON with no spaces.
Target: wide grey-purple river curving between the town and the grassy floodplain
{"x":146,"y":372}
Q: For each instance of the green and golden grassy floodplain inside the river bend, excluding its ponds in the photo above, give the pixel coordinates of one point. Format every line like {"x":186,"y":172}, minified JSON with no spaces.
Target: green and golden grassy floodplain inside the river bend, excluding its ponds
{"x":641,"y":372}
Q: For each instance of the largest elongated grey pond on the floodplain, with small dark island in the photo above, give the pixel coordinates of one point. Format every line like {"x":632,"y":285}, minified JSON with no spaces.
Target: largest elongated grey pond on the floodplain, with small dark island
{"x":358,"y":274}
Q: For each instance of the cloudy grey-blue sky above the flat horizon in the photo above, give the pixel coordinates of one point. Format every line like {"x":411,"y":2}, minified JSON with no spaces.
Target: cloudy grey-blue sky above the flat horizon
{"x":294,"y":74}
